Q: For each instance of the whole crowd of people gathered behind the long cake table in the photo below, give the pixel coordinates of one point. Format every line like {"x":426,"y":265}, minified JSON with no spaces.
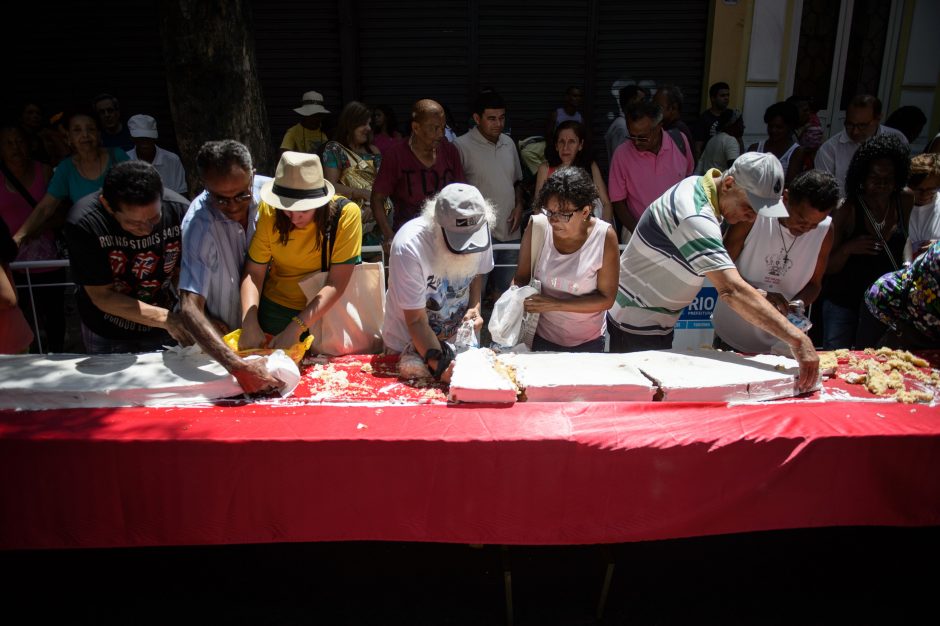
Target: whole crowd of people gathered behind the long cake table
{"x":851,"y":224}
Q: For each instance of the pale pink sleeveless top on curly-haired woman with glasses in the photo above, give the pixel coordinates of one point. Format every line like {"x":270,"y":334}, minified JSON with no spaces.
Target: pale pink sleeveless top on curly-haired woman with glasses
{"x":564,"y":276}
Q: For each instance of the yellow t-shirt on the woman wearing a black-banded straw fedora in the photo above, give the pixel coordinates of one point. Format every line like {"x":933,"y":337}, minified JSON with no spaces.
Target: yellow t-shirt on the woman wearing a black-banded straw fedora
{"x":287,"y":264}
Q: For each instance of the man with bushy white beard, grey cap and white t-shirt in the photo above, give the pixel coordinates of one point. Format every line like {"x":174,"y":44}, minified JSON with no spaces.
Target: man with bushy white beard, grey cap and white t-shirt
{"x":435,"y":279}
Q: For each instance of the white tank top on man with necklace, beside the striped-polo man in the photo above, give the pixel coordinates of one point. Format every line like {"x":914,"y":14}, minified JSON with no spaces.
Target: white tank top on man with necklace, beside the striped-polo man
{"x":773,"y":260}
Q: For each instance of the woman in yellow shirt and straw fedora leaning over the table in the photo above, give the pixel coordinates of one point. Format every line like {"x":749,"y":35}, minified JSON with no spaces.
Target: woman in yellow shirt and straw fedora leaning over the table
{"x":294,"y":220}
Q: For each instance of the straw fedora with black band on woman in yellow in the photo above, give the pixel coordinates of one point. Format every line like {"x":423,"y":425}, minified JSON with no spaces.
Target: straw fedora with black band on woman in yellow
{"x":298,"y":184}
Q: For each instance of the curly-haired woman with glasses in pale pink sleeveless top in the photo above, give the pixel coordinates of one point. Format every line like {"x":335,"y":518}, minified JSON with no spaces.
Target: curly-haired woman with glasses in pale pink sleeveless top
{"x":578,"y":266}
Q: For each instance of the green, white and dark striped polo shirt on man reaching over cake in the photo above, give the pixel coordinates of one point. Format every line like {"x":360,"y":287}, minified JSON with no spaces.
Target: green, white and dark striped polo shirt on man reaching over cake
{"x":676,"y":242}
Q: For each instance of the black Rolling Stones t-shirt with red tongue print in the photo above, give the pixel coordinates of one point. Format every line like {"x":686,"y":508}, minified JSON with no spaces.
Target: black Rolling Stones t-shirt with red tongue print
{"x":143,"y":268}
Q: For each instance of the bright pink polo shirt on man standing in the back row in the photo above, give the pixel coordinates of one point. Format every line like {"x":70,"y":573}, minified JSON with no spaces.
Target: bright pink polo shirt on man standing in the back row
{"x":641,"y":177}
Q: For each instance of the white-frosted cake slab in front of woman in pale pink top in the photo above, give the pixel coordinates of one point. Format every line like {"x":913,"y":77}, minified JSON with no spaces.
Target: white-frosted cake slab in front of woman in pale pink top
{"x":574,"y":376}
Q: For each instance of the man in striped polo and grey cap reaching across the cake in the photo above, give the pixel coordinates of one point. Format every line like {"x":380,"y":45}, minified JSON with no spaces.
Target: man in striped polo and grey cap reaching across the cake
{"x":678,"y":243}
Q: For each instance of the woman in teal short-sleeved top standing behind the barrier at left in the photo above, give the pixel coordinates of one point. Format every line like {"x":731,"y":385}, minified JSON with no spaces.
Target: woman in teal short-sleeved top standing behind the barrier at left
{"x":75,"y":177}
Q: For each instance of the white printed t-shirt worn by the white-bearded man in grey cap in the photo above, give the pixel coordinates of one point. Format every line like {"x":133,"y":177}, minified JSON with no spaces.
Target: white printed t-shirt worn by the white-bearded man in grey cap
{"x":412,"y":285}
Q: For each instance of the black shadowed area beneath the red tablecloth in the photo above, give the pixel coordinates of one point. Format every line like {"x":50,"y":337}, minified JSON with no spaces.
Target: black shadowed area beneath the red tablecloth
{"x":823,"y":576}
